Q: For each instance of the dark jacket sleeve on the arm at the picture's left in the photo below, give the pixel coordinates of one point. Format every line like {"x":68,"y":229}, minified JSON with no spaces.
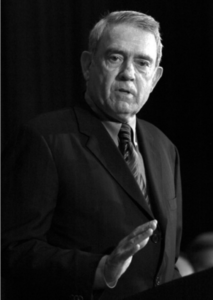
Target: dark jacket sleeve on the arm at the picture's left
{"x":29,"y":199}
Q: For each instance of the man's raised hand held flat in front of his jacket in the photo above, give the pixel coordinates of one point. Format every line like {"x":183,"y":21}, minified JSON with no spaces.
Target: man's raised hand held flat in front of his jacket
{"x":119,"y":260}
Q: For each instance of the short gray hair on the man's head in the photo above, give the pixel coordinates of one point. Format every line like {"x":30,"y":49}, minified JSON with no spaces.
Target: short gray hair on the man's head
{"x":137,"y":19}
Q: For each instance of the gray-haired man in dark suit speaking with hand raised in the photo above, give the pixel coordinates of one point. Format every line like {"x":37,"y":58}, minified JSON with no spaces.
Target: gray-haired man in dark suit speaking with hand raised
{"x":79,"y":221}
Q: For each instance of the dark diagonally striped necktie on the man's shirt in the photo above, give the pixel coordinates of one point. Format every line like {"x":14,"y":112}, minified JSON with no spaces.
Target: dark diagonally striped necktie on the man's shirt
{"x":132,"y":157}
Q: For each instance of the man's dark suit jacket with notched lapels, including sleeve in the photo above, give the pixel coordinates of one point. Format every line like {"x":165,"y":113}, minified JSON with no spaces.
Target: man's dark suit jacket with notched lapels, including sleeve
{"x":69,"y":198}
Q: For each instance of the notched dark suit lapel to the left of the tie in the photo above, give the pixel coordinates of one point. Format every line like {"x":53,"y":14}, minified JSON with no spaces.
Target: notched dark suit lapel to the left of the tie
{"x":101,"y":145}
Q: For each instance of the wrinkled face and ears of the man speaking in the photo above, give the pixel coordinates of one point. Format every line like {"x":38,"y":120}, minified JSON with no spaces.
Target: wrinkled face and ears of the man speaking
{"x":122,"y":73}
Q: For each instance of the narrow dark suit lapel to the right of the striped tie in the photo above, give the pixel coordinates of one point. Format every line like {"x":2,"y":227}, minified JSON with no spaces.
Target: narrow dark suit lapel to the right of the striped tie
{"x":153,"y":167}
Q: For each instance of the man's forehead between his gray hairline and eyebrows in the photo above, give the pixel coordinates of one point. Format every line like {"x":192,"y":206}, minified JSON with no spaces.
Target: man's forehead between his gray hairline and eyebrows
{"x":130,"y":39}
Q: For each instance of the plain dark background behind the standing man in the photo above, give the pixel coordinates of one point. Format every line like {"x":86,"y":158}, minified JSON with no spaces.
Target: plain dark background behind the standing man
{"x":41,"y":45}
